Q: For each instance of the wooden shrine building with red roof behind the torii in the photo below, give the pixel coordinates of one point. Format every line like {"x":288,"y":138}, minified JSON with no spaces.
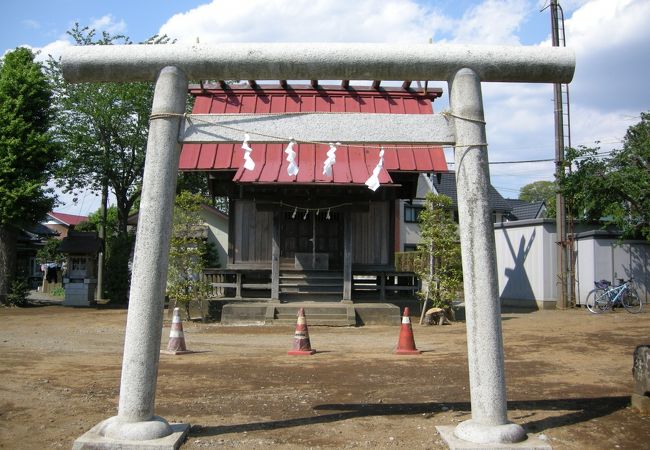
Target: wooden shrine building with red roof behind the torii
{"x":311,"y":233}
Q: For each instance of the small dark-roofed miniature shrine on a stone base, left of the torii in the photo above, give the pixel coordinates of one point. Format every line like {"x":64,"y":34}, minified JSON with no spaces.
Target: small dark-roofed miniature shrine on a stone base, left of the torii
{"x":80,"y":279}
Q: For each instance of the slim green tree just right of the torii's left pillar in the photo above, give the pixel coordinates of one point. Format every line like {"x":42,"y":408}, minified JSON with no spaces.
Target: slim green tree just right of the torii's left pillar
{"x":185,"y":281}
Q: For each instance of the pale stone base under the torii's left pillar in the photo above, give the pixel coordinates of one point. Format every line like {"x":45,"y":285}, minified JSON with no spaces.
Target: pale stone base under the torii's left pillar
{"x":112,"y":434}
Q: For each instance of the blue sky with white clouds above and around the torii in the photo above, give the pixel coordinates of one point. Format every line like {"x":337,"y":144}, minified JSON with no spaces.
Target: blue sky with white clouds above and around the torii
{"x":610,"y":37}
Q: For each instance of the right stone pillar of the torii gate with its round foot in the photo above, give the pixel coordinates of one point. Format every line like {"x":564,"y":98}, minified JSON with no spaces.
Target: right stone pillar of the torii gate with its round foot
{"x":489,"y":422}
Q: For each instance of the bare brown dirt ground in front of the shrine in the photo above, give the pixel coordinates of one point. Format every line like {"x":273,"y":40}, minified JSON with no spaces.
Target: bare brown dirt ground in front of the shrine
{"x":568,"y":376}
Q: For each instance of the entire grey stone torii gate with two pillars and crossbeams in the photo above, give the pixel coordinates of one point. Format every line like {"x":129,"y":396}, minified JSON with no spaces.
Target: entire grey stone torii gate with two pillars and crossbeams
{"x":463,"y":67}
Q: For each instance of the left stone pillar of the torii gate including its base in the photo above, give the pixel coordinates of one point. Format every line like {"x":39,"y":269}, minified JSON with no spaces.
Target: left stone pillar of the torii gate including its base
{"x":135,"y":421}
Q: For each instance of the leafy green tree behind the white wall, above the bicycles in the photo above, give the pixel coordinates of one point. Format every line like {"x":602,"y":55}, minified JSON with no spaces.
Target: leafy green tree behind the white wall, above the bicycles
{"x":613,"y":189}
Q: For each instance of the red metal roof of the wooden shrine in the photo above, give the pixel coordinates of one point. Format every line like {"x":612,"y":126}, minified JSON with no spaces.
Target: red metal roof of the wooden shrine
{"x":354,"y":164}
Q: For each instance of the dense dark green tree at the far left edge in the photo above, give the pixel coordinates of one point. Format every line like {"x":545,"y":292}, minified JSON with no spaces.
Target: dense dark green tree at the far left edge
{"x":27,"y":153}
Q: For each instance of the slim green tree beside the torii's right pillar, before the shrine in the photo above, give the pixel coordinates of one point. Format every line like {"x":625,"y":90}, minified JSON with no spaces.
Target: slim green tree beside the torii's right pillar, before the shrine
{"x":442,"y":277}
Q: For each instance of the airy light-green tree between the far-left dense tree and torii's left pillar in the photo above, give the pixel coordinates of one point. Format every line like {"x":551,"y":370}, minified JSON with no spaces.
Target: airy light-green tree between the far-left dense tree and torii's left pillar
{"x":104,"y":128}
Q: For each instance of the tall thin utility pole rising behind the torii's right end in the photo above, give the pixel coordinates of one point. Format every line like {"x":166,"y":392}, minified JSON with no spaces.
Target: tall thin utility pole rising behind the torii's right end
{"x":562,"y":129}
